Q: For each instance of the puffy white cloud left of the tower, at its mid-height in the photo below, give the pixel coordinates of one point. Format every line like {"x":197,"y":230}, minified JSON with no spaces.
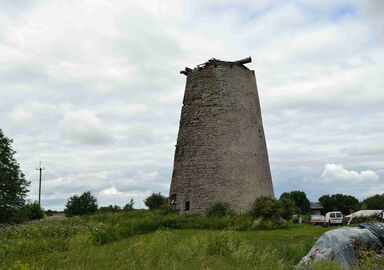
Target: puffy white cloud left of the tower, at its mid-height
{"x":84,"y":126}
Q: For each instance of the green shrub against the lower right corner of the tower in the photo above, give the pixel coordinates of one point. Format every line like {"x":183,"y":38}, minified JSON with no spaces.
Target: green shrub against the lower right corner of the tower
{"x":266,"y":207}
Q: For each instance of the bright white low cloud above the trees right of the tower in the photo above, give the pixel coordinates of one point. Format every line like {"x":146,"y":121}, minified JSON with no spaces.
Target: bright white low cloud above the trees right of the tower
{"x":337,"y":173}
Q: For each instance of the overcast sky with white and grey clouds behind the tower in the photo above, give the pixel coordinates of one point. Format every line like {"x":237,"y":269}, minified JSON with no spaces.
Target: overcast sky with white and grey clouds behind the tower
{"x":92,"y":89}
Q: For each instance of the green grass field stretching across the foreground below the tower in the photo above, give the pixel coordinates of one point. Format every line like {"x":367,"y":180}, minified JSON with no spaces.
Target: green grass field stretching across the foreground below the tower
{"x":140,"y":241}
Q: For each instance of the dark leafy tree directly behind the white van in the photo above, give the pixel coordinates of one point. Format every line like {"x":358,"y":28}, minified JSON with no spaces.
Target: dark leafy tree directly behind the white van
{"x":339,"y":202}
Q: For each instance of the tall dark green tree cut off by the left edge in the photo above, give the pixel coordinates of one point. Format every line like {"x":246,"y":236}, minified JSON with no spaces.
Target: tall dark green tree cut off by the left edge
{"x":13,"y":186}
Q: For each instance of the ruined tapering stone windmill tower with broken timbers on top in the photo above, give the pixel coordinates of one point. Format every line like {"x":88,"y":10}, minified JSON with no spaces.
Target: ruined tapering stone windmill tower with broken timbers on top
{"x":221,"y":153}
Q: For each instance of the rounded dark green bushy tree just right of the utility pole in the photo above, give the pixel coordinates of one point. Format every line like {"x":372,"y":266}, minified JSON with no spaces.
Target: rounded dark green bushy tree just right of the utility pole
{"x":84,"y":204}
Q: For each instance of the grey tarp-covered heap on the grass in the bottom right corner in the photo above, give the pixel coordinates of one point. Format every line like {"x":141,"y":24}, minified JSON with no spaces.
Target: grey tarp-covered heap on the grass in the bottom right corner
{"x":339,"y":245}
